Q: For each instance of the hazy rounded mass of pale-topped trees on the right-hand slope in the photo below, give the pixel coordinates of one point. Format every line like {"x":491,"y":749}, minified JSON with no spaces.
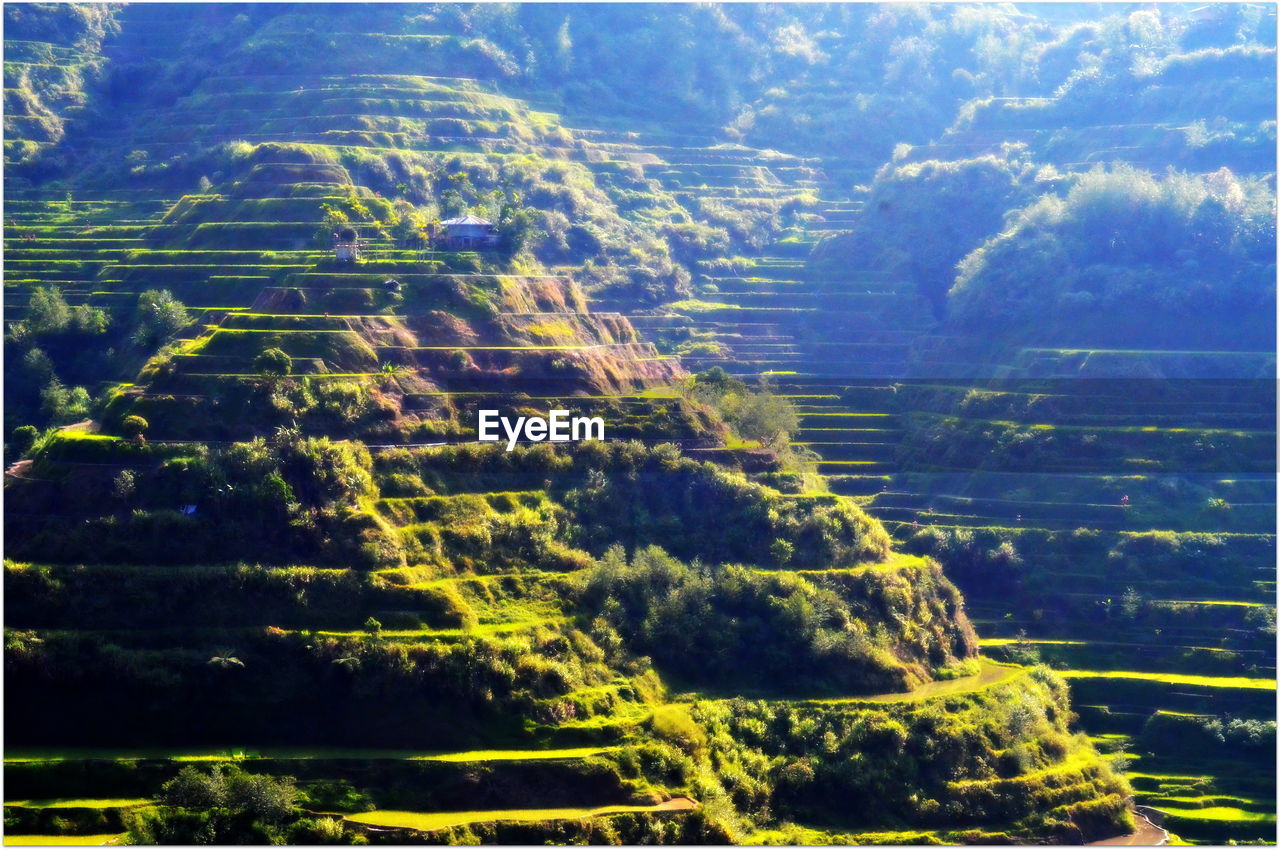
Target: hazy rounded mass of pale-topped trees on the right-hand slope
{"x":1128,"y":259}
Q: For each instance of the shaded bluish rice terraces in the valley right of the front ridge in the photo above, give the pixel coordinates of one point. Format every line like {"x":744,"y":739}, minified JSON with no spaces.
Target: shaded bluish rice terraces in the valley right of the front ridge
{"x":1089,"y":476}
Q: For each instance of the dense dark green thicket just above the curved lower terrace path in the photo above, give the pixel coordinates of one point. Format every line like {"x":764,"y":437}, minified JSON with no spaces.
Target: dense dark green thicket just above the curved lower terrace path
{"x":732,"y":627}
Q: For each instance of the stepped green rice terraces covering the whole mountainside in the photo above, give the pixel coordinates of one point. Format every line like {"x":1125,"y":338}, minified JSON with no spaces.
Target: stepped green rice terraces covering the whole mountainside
{"x":1108,"y":513}
